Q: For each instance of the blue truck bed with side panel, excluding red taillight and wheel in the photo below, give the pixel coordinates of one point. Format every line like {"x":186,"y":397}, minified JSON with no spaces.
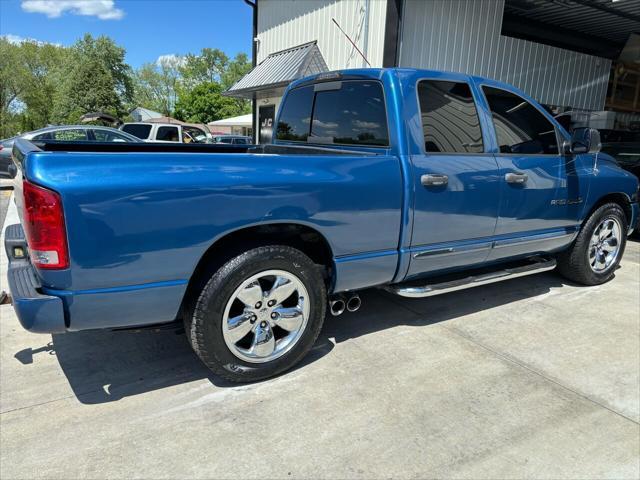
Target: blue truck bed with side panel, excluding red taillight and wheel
{"x":140,"y":217}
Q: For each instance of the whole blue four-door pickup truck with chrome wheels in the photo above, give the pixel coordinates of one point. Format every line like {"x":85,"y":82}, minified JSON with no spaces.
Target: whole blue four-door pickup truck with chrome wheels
{"x":415,"y":181}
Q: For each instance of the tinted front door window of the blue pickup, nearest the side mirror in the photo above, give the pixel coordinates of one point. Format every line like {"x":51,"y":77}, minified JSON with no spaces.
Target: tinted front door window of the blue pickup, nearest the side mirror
{"x":520,"y":127}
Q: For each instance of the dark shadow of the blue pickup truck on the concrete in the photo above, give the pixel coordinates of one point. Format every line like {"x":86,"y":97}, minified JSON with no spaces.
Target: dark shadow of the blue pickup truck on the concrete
{"x":105,"y":366}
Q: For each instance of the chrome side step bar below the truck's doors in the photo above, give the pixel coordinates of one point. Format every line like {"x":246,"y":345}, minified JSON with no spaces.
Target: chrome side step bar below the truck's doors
{"x":538,"y":266}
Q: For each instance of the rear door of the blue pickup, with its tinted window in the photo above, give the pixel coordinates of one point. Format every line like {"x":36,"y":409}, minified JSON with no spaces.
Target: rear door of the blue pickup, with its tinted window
{"x":456,"y":181}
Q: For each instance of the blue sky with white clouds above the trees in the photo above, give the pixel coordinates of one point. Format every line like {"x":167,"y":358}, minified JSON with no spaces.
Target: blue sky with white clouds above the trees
{"x":147,"y":29}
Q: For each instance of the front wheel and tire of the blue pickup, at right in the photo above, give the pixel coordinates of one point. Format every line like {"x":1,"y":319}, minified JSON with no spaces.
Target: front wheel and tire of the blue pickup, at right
{"x":595,"y":255}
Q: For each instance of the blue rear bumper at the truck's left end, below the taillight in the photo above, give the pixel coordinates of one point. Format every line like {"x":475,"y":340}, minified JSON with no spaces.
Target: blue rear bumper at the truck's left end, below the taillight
{"x":36,"y":312}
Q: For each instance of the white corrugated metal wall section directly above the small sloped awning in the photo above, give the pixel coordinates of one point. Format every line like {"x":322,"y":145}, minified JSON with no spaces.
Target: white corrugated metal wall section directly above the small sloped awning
{"x":286,"y":23}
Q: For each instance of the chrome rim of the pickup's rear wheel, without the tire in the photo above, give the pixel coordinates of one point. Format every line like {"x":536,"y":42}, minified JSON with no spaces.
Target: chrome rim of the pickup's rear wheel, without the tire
{"x":265,"y":316}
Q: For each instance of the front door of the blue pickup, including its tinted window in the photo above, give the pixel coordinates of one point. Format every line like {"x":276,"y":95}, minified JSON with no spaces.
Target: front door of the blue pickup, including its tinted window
{"x":542,"y":190}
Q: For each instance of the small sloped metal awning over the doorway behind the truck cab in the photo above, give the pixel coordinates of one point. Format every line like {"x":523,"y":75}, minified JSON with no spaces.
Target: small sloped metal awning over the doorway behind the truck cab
{"x":279,"y":69}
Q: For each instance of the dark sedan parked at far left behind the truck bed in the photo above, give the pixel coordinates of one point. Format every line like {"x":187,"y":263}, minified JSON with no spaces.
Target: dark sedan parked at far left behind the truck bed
{"x":67,"y":133}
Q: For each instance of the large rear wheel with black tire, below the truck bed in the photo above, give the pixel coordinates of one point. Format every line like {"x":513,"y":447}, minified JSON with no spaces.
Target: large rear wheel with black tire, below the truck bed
{"x":259,"y":314}
